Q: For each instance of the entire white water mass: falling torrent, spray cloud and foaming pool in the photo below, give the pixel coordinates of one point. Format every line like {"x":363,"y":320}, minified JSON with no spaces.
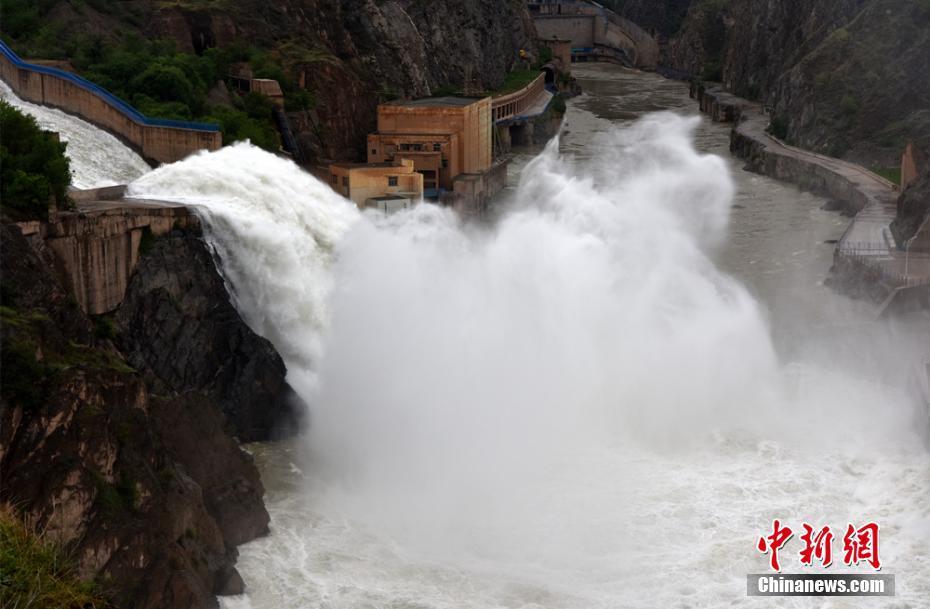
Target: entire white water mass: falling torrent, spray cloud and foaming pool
{"x":572,"y":408}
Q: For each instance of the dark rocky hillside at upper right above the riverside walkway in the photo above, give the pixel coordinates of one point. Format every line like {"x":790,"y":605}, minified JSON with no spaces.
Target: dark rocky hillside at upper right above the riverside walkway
{"x":849,"y":78}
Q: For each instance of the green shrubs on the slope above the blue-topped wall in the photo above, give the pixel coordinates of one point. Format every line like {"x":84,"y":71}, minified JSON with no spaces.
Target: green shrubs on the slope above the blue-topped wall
{"x":160,"y":81}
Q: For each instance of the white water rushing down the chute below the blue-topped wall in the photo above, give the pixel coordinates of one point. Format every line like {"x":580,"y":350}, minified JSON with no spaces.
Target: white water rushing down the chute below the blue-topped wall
{"x":97,"y":158}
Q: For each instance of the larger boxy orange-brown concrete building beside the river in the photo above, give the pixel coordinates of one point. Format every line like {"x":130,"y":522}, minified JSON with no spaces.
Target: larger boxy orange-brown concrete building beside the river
{"x":444,"y":137}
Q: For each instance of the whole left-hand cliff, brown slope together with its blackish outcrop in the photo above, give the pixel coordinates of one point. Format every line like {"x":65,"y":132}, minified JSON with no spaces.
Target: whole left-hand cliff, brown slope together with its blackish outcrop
{"x":123,"y":459}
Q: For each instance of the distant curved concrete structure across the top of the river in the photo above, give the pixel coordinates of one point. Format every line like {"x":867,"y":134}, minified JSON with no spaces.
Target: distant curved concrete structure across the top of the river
{"x":595,"y":32}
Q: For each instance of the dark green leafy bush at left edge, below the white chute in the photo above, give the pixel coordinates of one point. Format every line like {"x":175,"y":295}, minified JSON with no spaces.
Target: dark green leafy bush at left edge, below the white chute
{"x":34,"y":170}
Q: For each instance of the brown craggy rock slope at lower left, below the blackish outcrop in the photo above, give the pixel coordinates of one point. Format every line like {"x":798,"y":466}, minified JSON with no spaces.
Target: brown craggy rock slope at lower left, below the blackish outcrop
{"x":148,"y":492}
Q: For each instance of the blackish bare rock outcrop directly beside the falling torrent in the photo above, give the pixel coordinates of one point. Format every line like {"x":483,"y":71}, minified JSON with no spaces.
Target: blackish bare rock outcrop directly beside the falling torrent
{"x":178,"y":326}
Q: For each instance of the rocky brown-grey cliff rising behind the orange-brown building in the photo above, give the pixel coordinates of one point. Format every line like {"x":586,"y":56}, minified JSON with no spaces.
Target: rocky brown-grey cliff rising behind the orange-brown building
{"x":349,"y":54}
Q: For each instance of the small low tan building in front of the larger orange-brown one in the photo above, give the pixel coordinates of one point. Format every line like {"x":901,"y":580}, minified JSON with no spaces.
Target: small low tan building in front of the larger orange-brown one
{"x":387,"y":185}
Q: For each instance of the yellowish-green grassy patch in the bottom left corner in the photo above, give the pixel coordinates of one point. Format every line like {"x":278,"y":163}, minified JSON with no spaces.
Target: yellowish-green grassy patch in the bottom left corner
{"x":36,"y":574}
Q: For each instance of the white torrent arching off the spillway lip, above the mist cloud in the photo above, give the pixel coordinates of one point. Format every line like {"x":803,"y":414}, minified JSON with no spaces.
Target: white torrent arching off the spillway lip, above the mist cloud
{"x":274,"y":228}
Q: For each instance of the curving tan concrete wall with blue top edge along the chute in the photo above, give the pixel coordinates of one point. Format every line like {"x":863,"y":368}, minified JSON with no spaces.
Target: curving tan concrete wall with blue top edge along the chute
{"x":158,"y":140}
